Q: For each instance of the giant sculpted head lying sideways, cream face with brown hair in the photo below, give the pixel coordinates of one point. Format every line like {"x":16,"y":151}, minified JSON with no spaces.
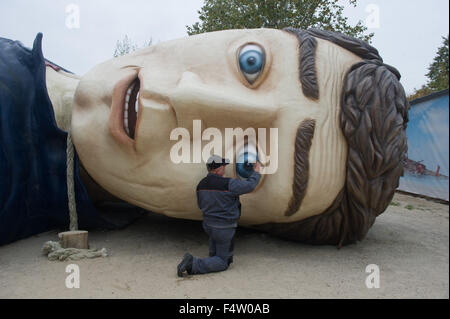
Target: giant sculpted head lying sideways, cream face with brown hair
{"x":299,"y":82}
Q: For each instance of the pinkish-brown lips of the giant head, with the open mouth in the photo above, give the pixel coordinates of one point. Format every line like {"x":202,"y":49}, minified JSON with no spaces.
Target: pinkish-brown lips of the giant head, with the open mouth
{"x":125,"y":109}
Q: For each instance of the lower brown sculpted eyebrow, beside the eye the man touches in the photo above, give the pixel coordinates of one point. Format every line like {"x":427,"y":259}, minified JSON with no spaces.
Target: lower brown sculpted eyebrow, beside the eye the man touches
{"x":303,"y":142}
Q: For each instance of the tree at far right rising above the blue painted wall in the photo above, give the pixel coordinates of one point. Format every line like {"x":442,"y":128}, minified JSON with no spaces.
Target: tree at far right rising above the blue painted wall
{"x":437,"y":73}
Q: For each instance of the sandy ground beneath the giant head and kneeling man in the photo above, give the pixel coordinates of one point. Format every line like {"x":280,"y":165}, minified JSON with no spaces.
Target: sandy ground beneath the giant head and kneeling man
{"x":410,"y":245}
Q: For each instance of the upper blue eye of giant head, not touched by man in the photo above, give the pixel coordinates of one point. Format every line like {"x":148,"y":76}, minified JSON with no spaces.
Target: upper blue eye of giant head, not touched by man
{"x":251,"y":61}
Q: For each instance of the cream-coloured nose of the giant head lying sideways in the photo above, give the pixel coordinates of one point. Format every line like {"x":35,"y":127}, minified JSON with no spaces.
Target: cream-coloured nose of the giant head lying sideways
{"x":220,"y":104}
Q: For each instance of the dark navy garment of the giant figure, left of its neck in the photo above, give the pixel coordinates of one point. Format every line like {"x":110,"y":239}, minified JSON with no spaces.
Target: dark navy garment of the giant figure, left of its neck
{"x":33,"y":190}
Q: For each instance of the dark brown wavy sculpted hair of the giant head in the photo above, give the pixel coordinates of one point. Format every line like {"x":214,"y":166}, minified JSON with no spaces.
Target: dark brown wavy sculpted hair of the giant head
{"x":373,"y":119}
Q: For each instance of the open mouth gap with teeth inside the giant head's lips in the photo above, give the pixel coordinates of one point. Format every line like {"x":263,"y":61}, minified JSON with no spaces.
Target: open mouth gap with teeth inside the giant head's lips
{"x":131,"y":108}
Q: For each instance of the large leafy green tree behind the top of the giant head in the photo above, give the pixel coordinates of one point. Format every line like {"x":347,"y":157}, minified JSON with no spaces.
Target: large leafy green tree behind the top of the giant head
{"x":247,"y":14}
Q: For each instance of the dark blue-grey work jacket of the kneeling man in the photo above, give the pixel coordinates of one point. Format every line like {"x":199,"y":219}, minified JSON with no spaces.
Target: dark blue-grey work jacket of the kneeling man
{"x":218,"y":198}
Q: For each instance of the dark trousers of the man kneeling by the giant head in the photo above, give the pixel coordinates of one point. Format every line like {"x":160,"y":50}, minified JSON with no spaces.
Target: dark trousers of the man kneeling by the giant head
{"x":220,"y":250}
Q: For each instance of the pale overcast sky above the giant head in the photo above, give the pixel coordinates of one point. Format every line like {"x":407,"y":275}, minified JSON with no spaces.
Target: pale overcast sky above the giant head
{"x":78,"y":34}
